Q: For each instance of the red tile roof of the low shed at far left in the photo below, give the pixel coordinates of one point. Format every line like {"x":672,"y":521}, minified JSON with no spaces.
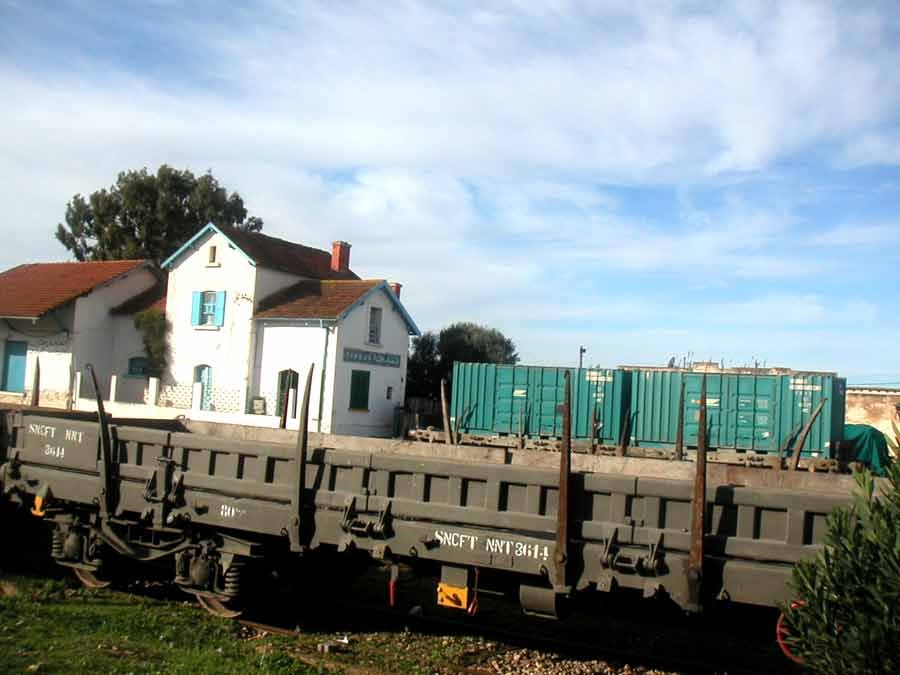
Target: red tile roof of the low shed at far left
{"x":29,"y":291}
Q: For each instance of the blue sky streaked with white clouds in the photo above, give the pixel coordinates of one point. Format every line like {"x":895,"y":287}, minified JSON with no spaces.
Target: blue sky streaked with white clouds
{"x":709,"y":181}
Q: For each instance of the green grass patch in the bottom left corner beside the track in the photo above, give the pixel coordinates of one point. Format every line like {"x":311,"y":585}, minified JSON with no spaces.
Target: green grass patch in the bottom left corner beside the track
{"x":53,"y":626}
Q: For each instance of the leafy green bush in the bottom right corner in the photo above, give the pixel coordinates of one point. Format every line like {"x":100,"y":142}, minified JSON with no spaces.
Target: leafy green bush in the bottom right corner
{"x":847,"y":620}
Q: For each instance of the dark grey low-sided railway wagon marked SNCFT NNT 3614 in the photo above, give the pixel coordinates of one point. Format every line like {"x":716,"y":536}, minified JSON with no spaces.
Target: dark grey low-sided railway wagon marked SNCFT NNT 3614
{"x":215,"y":503}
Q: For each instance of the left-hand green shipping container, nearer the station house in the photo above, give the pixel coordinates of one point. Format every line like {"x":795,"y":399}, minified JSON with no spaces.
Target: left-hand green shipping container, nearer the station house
{"x":489,"y":399}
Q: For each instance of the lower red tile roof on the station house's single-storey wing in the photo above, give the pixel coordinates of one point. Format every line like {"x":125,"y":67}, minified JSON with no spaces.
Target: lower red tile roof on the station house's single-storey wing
{"x":314,"y":299}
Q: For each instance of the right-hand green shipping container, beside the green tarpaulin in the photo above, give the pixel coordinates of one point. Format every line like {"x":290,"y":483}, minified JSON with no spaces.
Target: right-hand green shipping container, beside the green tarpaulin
{"x":745,"y":411}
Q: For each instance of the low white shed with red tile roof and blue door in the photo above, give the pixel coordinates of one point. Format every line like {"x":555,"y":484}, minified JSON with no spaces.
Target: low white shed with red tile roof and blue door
{"x":59,"y":314}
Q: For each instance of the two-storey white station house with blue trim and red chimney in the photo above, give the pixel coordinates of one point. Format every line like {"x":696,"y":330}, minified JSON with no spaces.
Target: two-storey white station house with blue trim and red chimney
{"x":249,"y":313}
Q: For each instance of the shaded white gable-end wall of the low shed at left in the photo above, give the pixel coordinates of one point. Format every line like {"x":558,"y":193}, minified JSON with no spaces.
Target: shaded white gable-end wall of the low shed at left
{"x":93,"y":334}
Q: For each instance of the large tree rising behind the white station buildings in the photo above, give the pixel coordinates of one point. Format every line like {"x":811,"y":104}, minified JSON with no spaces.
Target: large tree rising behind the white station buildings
{"x":148,"y":215}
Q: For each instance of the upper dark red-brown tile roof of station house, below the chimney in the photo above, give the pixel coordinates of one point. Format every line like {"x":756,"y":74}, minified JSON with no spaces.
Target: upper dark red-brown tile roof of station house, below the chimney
{"x":285,"y":256}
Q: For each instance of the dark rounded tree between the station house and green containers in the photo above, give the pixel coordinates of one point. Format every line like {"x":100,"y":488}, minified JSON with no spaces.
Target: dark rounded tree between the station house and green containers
{"x":433,"y":355}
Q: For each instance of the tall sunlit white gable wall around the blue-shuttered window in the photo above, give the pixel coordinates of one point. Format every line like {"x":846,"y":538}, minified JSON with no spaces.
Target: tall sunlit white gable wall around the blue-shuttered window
{"x":227,"y":348}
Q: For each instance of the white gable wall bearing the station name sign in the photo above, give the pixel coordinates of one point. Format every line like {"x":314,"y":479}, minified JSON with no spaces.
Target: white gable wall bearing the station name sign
{"x":354,"y":333}
